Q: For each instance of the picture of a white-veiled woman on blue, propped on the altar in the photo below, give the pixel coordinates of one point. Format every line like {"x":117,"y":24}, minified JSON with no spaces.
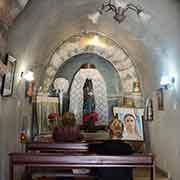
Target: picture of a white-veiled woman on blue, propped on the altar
{"x":132,"y":119}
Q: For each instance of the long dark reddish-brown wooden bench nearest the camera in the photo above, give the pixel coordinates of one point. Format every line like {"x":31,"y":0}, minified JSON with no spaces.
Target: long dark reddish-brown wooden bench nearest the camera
{"x":43,"y":160}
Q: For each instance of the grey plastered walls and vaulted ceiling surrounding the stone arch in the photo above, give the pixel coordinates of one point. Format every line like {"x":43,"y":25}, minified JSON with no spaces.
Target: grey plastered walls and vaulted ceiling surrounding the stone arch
{"x":154,"y":47}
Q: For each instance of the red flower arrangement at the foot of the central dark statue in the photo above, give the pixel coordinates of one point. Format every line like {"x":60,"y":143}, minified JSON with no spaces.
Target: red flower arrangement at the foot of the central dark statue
{"x":89,"y":121}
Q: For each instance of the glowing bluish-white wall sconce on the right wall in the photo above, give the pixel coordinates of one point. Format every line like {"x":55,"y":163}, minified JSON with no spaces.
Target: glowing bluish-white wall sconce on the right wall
{"x":167,"y":82}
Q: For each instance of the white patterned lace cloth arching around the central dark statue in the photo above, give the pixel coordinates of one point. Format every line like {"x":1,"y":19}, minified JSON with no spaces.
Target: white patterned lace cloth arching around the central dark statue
{"x":100,"y":93}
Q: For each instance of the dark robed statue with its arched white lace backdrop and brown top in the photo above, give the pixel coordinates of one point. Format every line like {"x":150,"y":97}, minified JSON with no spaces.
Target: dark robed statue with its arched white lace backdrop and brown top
{"x":88,"y":95}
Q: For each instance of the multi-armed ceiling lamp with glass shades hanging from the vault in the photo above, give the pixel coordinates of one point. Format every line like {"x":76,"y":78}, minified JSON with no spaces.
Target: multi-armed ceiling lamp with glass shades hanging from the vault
{"x":120,"y":9}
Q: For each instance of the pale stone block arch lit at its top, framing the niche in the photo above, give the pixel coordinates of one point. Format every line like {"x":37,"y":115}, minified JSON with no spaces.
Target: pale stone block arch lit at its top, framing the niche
{"x":106,"y":48}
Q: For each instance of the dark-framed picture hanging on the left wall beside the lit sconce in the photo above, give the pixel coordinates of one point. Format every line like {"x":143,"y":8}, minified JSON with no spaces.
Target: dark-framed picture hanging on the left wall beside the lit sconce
{"x":8,"y":78}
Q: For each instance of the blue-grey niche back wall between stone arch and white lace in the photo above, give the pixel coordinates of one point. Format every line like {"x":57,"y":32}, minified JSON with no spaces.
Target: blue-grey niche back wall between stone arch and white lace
{"x":70,"y":67}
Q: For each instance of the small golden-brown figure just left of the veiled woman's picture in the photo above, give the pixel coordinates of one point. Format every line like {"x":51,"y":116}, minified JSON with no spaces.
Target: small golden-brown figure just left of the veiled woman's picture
{"x":116,"y":128}
